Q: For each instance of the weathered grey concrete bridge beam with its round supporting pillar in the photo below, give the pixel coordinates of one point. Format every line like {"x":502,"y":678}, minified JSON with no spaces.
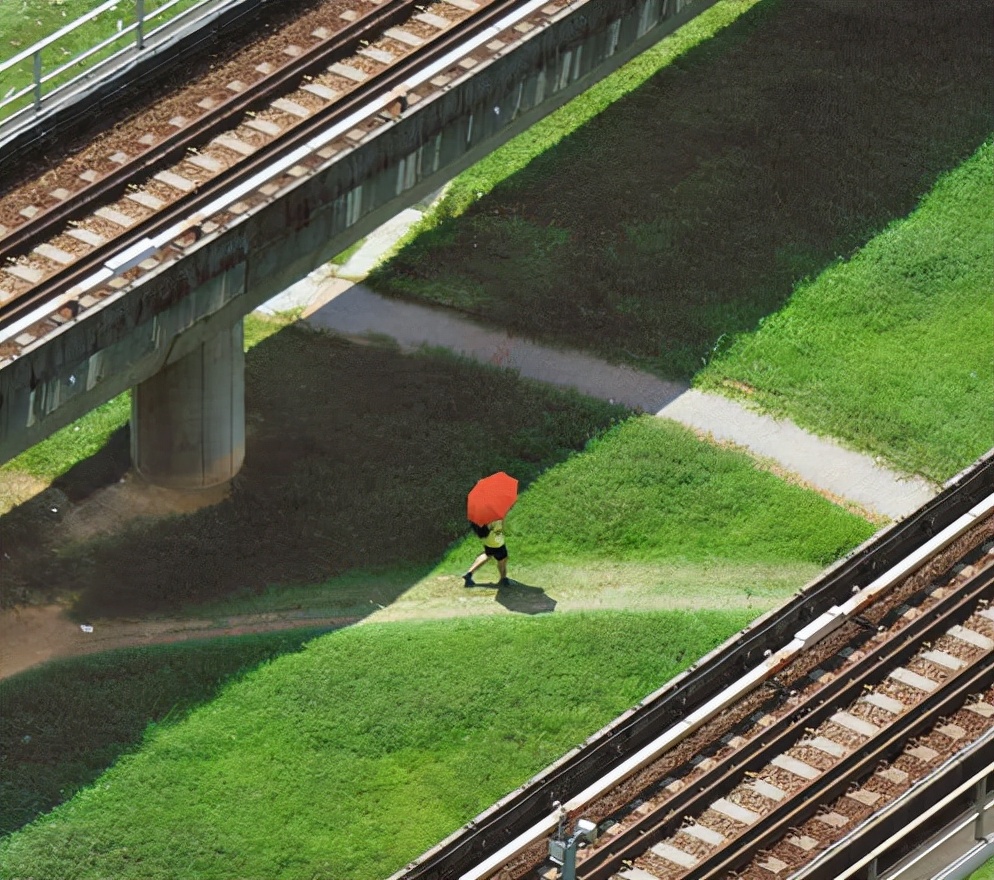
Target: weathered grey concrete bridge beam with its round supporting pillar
{"x":175,"y":333}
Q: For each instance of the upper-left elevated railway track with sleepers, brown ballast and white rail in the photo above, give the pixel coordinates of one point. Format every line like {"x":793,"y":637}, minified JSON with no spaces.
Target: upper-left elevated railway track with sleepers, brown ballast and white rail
{"x":98,"y":229}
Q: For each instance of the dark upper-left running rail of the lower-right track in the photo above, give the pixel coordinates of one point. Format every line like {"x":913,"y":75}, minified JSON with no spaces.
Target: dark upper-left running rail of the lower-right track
{"x":785,"y":732}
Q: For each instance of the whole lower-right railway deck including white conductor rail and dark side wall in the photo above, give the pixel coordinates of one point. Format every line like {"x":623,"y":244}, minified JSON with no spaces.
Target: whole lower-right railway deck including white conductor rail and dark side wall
{"x":867,"y":710}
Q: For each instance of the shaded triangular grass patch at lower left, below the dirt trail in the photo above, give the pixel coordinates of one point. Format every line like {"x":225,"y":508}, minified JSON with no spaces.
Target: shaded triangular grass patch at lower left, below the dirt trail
{"x":65,"y":723}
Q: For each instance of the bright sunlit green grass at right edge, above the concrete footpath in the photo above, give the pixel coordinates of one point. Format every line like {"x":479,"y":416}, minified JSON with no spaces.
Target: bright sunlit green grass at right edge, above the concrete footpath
{"x":892,"y":351}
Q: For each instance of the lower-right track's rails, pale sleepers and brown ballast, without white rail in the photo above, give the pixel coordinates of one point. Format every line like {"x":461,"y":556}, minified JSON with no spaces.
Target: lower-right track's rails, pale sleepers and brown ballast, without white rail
{"x":830,"y":754}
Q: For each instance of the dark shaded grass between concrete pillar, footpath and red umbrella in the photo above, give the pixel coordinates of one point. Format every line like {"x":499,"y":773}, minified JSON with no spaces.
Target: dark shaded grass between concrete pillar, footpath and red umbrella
{"x":356,"y":457}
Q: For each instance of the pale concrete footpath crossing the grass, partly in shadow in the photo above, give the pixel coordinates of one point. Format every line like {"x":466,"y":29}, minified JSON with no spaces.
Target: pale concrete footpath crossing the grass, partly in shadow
{"x":334,"y":300}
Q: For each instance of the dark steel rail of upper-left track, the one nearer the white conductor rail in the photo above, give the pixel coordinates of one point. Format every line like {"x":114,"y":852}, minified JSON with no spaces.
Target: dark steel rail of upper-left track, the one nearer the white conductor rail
{"x":376,"y":87}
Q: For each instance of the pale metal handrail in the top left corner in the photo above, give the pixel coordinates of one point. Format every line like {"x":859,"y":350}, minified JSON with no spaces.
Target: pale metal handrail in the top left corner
{"x":138,"y":27}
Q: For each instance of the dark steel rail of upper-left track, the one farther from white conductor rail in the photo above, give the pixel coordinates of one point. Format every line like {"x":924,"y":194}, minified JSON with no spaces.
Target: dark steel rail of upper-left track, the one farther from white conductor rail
{"x":221,"y":118}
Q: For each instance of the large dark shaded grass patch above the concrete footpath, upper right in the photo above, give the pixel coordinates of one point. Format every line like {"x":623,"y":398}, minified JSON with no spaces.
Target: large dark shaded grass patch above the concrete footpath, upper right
{"x":752,"y":161}
